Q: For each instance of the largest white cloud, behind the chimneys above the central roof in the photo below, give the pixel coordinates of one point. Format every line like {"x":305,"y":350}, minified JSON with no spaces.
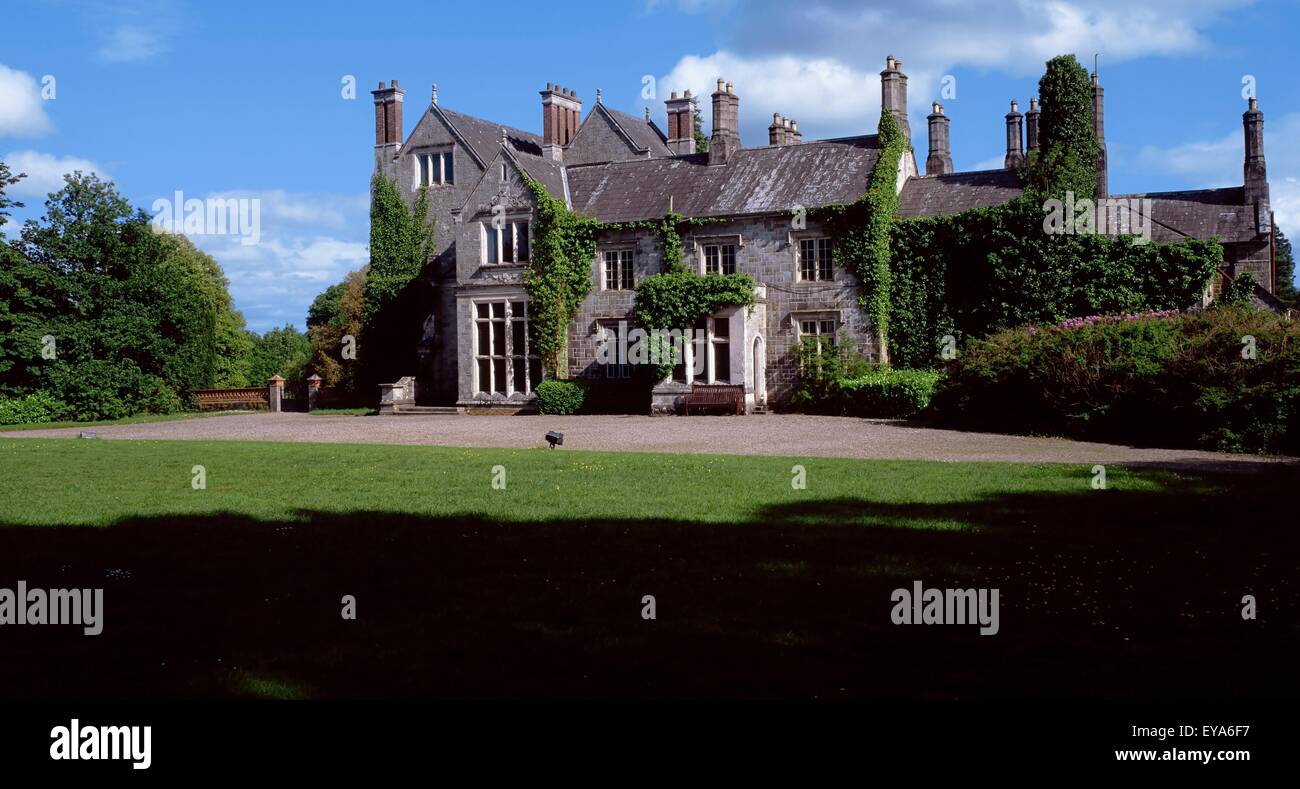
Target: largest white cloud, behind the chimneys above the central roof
{"x":837,"y":49}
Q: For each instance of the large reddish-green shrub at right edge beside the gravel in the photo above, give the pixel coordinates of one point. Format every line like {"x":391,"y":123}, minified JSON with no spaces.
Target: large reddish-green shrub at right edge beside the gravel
{"x":1181,"y":382}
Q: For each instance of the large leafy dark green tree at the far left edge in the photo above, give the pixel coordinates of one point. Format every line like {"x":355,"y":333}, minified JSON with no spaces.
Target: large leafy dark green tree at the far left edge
{"x":131,"y":314}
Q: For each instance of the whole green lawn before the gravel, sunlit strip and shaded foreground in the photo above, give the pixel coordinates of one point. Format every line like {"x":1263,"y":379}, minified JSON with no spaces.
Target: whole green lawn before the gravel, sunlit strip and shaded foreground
{"x":536,"y":589}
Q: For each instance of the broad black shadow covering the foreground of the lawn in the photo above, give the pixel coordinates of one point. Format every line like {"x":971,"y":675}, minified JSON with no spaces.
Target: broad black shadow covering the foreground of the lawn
{"x":1103,"y":593}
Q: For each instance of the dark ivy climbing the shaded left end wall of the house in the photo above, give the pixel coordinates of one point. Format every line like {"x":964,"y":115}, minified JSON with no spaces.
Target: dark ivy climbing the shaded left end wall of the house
{"x":397,"y":298}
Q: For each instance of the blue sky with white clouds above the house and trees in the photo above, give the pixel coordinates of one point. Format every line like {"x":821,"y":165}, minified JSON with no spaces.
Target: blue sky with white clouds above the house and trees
{"x":245,"y":99}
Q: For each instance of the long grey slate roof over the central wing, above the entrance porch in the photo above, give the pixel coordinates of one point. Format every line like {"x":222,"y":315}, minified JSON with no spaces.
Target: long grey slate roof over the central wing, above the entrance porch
{"x":755,"y":181}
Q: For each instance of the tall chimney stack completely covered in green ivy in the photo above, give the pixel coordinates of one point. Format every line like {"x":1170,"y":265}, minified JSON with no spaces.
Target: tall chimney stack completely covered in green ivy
{"x":1068,"y":142}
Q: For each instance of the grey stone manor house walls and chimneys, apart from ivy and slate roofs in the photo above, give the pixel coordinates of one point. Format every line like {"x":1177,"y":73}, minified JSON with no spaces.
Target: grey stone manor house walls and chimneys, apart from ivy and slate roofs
{"x":619,"y":168}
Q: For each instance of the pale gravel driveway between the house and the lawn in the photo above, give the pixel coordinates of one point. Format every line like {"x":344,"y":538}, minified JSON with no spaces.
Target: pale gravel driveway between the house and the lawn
{"x":774,"y":435}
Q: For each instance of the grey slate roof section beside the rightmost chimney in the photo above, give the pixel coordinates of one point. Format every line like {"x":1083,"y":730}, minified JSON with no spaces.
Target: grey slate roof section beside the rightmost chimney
{"x":1201,"y":214}
